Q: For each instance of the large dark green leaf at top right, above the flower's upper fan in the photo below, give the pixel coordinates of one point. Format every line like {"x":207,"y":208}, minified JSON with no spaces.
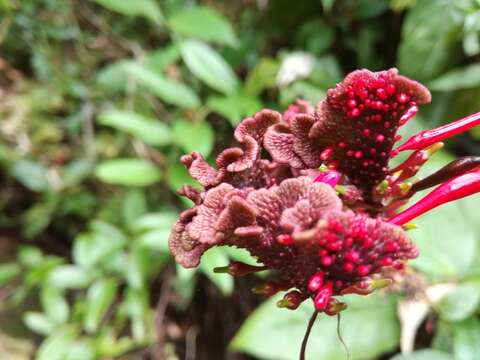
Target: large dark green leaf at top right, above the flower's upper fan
{"x":430,"y":35}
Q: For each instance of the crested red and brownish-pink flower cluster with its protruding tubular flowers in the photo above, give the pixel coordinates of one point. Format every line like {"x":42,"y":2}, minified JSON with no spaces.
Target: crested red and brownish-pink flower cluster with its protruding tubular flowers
{"x":311,"y":196}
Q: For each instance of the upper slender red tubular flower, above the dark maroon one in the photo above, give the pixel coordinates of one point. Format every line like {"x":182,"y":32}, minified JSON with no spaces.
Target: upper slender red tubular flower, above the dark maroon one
{"x":428,"y":137}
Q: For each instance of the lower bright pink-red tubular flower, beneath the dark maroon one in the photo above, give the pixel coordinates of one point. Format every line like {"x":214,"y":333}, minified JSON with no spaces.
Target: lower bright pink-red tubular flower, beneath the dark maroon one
{"x":457,"y":188}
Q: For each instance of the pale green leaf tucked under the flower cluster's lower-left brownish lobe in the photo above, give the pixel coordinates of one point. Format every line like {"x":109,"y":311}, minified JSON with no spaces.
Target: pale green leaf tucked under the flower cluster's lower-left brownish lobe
{"x":217,"y":257}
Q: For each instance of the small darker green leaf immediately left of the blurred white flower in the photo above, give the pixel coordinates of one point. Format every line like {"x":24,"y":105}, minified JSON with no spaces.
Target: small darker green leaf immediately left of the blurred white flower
{"x":262,"y":76}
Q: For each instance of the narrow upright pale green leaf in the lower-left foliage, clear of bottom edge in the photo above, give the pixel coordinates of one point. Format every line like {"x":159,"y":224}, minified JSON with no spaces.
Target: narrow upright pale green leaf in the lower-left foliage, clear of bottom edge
{"x":99,"y":297}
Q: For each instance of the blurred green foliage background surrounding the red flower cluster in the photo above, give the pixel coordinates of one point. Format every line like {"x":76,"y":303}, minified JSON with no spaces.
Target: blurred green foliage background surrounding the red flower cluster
{"x":98,"y":99}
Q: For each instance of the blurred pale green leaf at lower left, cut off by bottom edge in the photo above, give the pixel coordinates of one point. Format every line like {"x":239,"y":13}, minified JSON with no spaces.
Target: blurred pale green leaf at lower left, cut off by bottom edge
{"x":58,"y":344}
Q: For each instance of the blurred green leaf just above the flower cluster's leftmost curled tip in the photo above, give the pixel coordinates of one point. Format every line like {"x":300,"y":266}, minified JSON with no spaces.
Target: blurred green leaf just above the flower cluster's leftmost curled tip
{"x":193,"y":136}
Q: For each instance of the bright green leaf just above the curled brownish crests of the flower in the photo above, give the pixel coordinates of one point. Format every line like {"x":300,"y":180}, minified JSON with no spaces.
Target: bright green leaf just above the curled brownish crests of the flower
{"x":234,"y":107}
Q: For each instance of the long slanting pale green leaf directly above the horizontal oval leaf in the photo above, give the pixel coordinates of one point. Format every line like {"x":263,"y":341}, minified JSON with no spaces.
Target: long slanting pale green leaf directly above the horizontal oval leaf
{"x":150,"y":131}
